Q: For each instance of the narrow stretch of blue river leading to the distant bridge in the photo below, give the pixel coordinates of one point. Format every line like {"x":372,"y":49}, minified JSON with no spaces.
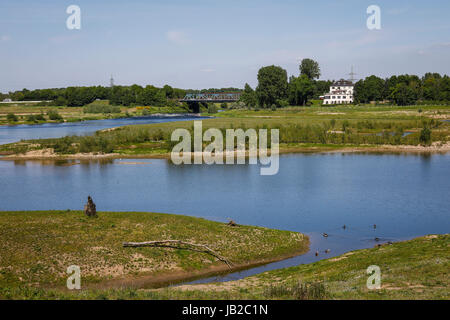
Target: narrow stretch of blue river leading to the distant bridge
{"x":10,"y":134}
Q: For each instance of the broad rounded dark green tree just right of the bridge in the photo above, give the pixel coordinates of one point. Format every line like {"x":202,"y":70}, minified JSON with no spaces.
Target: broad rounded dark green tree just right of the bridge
{"x":272,"y":85}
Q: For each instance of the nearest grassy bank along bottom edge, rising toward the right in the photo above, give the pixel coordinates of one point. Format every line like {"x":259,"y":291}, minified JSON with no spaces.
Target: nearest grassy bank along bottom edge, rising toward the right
{"x":413,"y":269}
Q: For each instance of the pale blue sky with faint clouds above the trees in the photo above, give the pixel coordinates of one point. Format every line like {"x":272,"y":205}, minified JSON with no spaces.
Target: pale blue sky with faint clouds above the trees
{"x":209,"y":43}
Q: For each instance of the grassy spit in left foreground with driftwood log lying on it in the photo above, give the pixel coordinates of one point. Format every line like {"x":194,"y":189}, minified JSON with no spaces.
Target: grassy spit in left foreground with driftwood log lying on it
{"x":37,"y":247}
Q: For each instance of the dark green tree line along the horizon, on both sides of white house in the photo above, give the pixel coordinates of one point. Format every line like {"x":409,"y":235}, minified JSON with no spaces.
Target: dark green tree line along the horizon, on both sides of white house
{"x":274,"y":90}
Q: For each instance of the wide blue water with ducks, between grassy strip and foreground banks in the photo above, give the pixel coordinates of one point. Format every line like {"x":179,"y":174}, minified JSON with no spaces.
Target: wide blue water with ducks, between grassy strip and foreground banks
{"x":404,"y":195}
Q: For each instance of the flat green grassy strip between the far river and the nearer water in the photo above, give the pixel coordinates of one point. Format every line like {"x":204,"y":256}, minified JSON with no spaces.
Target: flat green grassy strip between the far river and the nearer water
{"x":301,"y":129}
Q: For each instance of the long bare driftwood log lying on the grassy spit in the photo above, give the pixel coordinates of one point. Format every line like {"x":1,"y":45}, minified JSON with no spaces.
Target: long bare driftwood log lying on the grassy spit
{"x":178,"y":244}
